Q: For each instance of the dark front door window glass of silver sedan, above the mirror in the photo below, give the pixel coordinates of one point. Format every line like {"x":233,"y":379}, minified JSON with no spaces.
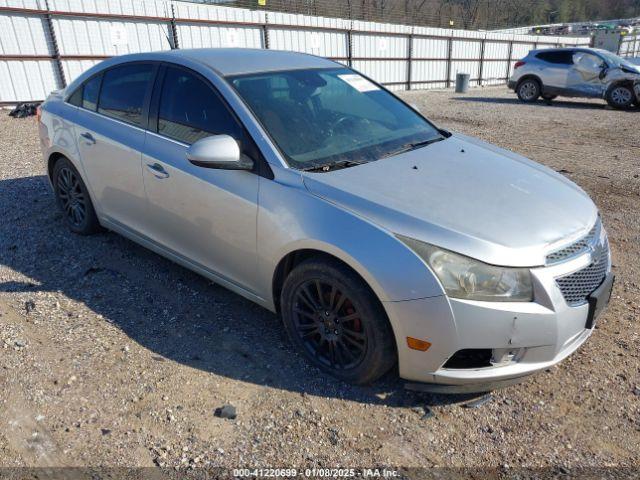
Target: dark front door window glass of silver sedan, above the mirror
{"x":191,"y":110}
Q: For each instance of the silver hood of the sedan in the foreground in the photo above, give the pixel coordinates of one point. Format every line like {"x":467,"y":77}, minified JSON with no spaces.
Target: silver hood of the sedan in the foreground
{"x":464,"y":195}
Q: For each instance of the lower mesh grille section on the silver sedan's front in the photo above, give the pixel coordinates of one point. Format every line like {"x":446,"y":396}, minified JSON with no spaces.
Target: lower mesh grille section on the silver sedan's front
{"x":577,"y":287}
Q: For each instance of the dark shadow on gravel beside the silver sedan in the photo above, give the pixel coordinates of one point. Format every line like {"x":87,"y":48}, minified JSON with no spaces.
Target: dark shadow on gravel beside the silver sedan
{"x":176,"y":314}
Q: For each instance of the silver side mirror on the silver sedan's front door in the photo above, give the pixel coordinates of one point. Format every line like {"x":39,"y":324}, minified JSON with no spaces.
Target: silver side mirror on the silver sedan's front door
{"x":218,"y":151}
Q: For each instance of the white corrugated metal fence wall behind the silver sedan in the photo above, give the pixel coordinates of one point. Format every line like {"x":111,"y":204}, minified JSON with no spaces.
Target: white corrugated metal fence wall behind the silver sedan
{"x":42,"y":50}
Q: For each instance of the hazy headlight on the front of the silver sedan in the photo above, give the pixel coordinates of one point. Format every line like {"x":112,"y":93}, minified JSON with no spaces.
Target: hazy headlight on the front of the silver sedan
{"x":464,"y":277}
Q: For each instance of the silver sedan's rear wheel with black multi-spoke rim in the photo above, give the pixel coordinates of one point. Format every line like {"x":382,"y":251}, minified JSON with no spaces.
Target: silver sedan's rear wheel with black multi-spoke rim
{"x":73,"y":199}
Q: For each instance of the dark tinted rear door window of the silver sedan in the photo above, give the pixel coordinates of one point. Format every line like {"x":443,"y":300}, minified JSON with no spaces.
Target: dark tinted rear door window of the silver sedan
{"x":123,"y":92}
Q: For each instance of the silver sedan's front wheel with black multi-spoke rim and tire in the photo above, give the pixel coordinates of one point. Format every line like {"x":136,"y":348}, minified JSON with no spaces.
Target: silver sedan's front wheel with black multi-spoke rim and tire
{"x":351,"y":322}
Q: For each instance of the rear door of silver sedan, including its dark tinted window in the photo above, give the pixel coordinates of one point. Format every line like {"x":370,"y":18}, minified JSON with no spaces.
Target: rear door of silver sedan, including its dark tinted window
{"x":110,"y":130}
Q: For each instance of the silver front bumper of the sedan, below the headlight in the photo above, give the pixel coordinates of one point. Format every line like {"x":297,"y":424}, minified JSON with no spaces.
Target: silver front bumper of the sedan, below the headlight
{"x":528,"y":337}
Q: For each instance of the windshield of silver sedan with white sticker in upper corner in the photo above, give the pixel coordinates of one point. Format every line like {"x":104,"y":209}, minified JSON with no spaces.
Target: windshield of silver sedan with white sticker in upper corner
{"x":331,"y":116}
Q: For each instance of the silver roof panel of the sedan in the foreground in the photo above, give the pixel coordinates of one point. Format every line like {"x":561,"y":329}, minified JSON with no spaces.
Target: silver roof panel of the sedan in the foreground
{"x":238,"y":61}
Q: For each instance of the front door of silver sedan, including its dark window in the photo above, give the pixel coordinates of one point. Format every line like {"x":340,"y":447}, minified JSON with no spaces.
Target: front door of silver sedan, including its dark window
{"x":206,"y":216}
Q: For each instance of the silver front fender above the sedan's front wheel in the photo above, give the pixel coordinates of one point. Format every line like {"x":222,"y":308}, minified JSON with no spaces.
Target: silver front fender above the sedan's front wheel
{"x":319,"y":225}
